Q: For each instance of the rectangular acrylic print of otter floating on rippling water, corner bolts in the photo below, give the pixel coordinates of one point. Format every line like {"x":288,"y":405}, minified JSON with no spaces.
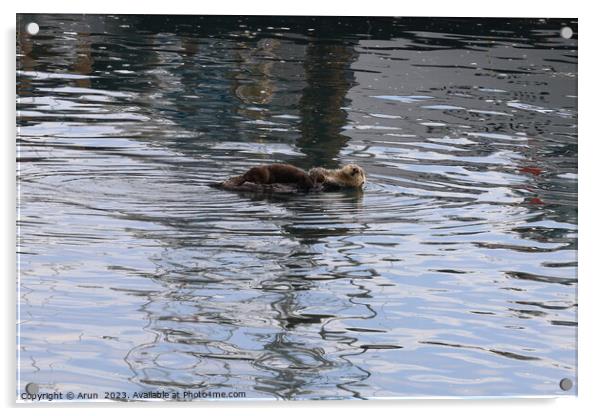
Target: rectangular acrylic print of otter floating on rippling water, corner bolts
{"x":448,"y":270}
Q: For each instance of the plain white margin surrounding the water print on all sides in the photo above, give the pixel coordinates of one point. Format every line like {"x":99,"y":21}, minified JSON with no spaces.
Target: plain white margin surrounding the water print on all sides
{"x":590,"y":152}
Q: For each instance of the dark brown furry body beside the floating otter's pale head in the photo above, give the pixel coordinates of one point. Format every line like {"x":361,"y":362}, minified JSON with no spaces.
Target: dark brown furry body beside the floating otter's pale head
{"x":276,"y":173}
